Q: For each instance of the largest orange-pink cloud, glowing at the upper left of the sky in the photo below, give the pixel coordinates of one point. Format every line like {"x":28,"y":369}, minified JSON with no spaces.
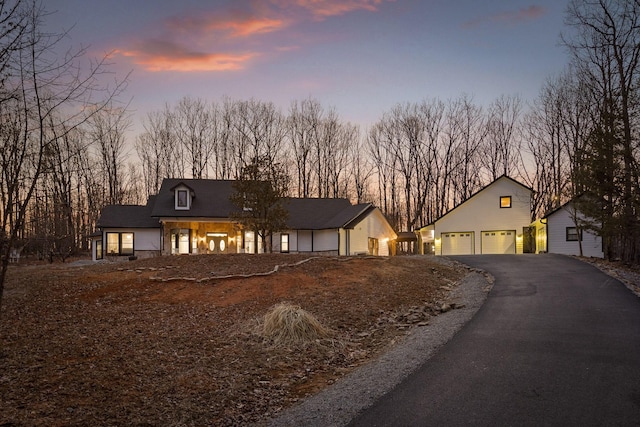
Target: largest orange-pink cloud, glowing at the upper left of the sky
{"x":228,"y":40}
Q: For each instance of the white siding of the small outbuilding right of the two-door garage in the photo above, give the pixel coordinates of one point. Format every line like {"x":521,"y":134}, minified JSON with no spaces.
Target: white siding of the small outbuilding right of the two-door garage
{"x":557,"y":243}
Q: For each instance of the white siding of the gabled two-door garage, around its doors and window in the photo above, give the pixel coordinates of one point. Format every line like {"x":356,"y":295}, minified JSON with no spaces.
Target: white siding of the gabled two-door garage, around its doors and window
{"x":483,"y":212}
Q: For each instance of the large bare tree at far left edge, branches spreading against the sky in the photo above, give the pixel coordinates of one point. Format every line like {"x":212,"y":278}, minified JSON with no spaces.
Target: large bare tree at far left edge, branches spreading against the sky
{"x":45,"y":91}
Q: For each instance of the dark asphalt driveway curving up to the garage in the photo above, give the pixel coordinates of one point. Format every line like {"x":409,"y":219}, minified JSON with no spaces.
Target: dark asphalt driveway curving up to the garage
{"x":557,"y":343}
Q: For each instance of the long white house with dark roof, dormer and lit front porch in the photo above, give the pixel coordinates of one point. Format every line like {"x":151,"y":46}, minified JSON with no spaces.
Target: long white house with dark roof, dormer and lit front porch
{"x":190,"y":216}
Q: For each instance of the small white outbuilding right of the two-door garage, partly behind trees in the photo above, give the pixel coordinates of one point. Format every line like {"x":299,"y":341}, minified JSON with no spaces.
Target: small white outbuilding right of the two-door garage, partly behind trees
{"x":558,"y":233}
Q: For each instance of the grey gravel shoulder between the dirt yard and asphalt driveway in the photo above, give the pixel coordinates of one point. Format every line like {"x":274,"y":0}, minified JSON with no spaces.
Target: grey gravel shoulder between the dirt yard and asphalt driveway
{"x":338,"y":404}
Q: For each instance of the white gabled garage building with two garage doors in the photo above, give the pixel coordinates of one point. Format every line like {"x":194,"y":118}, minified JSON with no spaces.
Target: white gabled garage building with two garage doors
{"x":495,"y":220}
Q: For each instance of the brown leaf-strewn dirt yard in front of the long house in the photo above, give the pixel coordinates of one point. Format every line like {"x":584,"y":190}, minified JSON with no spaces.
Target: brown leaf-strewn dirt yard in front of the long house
{"x":164,"y":342}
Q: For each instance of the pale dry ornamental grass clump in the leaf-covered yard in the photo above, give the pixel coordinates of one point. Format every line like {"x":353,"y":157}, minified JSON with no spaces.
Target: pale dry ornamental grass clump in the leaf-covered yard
{"x":289,"y":325}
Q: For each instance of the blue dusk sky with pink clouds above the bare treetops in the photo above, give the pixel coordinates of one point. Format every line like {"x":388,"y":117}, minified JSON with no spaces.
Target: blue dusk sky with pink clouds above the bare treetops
{"x":361,"y":57}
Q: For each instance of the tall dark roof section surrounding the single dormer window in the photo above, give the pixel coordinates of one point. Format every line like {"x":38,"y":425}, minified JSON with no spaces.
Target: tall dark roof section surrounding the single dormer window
{"x":211,"y":198}
